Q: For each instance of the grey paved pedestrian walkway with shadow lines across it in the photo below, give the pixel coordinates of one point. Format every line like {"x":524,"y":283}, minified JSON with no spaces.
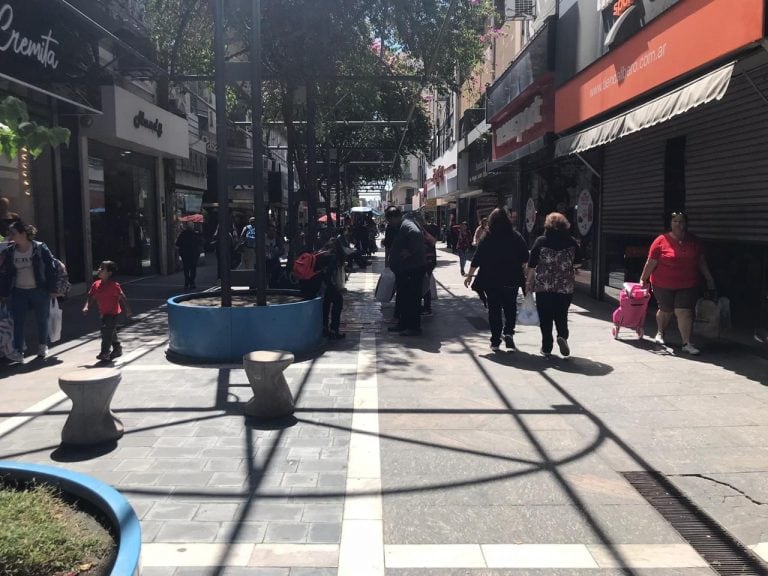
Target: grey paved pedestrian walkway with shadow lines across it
{"x":421,"y":456}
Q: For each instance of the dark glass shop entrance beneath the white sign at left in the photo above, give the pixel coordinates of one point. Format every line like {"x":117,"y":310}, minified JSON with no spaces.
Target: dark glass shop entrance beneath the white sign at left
{"x":123,"y":215}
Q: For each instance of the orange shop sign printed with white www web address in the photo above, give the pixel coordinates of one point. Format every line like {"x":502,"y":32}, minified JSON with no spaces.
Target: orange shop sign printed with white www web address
{"x":658,"y":54}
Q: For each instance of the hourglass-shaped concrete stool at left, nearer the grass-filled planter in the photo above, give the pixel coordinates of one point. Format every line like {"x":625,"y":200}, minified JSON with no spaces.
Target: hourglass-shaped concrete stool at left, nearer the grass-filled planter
{"x":91,"y":420}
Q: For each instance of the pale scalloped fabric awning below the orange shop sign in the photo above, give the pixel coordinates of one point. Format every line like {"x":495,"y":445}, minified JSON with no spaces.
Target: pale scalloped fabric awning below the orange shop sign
{"x":709,"y":87}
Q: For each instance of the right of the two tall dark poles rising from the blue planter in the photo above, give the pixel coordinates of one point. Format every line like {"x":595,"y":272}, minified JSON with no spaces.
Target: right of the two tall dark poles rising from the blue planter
{"x":258,"y":155}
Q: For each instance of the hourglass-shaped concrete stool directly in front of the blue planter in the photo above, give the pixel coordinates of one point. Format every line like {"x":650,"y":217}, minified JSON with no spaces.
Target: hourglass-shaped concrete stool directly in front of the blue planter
{"x":271,"y":396}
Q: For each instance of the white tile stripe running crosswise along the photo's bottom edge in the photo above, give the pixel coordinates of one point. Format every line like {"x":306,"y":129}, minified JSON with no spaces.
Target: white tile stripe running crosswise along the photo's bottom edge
{"x":445,"y":556}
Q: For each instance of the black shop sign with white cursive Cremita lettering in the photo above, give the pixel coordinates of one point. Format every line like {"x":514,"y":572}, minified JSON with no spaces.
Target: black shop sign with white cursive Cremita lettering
{"x":44,"y":47}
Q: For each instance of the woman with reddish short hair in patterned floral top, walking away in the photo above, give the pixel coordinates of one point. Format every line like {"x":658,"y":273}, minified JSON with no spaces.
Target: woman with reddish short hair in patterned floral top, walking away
{"x":551,"y":271}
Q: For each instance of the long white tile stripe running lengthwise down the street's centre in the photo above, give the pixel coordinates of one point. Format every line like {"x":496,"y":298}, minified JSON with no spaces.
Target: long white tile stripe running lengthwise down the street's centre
{"x":362,"y":529}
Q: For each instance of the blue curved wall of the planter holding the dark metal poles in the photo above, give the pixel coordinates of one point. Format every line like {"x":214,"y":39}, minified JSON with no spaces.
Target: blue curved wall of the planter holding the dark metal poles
{"x":216,"y":334}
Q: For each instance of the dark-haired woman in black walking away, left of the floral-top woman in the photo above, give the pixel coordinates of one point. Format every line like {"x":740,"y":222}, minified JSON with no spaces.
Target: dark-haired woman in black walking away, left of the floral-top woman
{"x":500,"y":256}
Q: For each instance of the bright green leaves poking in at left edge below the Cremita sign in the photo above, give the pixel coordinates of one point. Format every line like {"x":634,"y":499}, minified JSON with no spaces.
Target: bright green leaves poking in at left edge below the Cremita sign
{"x":17,"y":131}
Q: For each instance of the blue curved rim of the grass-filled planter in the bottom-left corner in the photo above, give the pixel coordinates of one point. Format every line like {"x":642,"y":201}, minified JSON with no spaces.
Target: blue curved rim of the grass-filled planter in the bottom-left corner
{"x":105,"y":498}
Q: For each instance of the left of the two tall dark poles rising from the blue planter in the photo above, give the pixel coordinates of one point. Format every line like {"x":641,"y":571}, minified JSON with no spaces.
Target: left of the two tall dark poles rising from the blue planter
{"x":225,"y":225}
